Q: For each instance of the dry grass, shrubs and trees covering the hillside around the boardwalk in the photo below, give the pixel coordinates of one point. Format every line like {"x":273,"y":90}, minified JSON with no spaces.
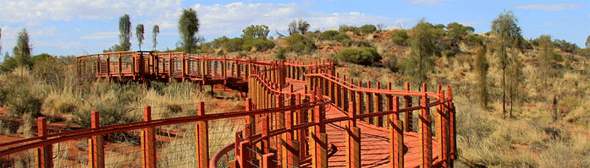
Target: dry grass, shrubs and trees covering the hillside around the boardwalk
{"x":520,"y":102}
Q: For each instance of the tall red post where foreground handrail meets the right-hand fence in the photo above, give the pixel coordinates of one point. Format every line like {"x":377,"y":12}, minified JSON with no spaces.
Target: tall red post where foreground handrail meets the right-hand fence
{"x":425,"y":132}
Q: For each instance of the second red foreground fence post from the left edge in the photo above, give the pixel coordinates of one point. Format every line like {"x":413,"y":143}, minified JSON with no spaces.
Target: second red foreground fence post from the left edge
{"x":97,"y":140}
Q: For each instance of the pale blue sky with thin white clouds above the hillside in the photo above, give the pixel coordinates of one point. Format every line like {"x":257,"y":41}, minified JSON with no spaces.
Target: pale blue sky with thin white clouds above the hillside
{"x":78,"y":27}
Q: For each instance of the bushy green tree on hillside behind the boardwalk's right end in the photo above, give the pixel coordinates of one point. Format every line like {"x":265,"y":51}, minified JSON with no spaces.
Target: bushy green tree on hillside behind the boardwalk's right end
{"x":422,"y":49}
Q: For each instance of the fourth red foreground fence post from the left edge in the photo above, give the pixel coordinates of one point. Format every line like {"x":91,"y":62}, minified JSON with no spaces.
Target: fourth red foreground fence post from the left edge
{"x":202,"y":138}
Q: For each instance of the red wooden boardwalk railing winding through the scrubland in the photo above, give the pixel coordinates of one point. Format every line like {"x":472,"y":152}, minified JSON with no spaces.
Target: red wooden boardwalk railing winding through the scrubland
{"x":285,"y":114}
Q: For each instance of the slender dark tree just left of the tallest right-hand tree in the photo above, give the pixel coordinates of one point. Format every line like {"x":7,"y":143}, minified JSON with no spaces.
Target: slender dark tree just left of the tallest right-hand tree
{"x":481,"y":67}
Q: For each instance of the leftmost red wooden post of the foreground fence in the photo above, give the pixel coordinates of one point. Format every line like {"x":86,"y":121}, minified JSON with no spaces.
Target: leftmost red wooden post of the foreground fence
{"x":45,"y":152}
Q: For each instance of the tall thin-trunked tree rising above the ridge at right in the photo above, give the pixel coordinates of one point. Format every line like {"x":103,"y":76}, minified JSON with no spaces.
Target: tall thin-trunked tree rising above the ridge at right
{"x":507,"y":33}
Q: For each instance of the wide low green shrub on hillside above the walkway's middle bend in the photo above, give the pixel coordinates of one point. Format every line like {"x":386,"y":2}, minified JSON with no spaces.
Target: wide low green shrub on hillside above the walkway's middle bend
{"x":363,"y":55}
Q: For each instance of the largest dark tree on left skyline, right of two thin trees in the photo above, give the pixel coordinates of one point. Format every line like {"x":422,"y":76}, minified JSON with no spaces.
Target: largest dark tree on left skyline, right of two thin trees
{"x":188,"y":26}
